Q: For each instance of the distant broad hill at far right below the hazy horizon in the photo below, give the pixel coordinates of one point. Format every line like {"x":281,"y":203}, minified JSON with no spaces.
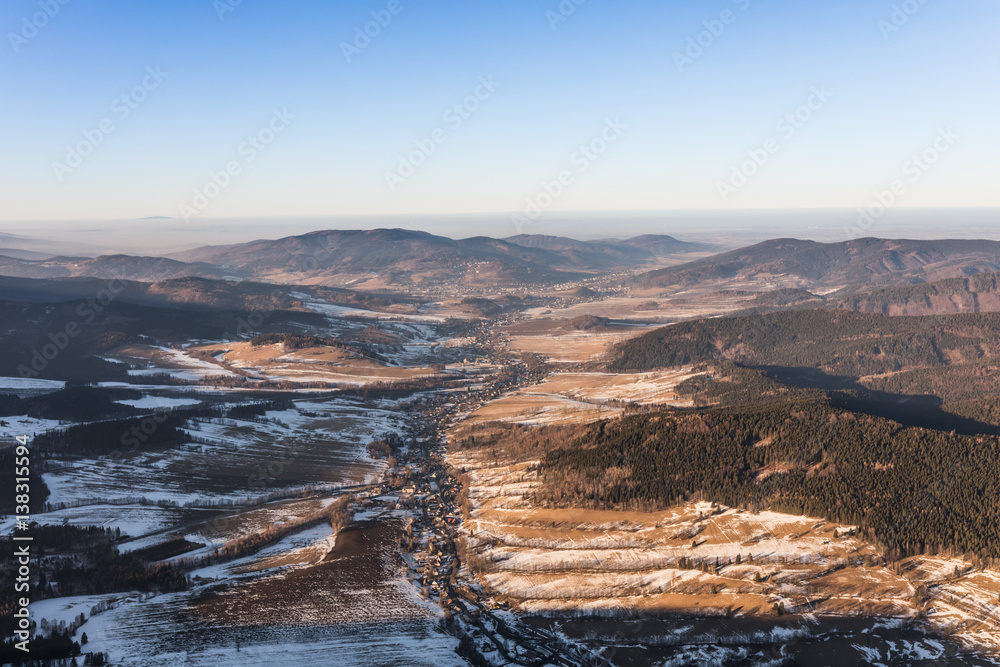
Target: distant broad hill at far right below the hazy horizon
{"x":853,"y":264}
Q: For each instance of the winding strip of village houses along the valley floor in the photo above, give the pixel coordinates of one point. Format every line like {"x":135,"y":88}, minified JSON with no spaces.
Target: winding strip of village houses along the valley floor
{"x":424,"y":486}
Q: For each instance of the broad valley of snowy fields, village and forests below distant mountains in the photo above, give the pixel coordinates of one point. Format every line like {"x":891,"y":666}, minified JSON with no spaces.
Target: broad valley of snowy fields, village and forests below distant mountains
{"x":483,"y":480}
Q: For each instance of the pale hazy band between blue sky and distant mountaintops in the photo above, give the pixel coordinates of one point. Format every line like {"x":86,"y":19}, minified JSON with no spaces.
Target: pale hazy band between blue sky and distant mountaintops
{"x":727,"y":229}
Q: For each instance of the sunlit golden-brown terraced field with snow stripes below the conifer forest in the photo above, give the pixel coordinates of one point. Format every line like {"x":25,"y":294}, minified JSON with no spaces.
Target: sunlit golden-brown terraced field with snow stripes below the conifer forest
{"x":545,"y":559}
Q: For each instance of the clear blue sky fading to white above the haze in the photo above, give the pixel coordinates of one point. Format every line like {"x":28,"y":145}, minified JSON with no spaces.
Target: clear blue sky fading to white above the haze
{"x":557,"y":85}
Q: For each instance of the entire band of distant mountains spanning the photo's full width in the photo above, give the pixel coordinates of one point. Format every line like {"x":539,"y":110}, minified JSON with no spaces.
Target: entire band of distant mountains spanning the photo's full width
{"x":396,"y":258}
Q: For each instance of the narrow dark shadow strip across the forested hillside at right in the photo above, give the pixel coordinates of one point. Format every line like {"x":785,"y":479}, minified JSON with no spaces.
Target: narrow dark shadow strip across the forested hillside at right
{"x":847,"y":393}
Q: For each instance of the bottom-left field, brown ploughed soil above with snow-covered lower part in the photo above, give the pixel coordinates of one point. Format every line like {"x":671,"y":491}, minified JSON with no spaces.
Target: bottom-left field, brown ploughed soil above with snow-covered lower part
{"x":310,"y":613}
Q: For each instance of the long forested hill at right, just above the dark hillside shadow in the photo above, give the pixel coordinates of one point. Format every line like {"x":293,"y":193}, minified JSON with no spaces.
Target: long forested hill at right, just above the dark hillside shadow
{"x":837,"y":342}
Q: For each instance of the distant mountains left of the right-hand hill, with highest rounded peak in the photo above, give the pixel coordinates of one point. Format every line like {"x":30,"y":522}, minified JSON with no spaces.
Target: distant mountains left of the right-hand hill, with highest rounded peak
{"x":374,"y":258}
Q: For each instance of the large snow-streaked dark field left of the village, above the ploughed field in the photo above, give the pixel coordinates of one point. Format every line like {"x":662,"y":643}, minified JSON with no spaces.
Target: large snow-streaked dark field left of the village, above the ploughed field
{"x":317,"y":442}
